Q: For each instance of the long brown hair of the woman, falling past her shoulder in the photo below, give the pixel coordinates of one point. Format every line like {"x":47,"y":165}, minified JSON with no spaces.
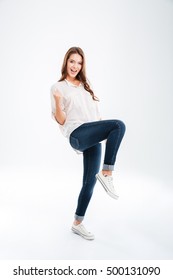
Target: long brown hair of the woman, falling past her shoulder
{"x":81,"y":76}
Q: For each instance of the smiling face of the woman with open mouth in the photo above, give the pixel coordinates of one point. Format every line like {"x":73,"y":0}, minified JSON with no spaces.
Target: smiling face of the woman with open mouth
{"x":74,"y":65}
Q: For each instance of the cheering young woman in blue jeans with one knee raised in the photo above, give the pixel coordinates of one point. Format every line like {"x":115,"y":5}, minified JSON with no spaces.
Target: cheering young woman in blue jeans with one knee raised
{"x":75,"y":108}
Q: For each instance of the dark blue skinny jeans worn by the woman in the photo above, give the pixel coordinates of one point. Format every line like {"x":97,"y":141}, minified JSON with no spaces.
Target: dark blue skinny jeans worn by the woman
{"x":86,"y":138}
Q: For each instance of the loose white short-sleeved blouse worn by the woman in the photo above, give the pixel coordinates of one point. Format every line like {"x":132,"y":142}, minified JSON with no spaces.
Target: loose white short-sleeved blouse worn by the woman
{"x":77,"y":103}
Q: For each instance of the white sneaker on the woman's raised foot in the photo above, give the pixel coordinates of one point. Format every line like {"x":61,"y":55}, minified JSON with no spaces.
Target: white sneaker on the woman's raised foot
{"x":107,"y":183}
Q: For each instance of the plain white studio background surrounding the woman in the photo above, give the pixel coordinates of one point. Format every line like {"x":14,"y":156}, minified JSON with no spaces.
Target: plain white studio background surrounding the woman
{"x":128,"y":47}
